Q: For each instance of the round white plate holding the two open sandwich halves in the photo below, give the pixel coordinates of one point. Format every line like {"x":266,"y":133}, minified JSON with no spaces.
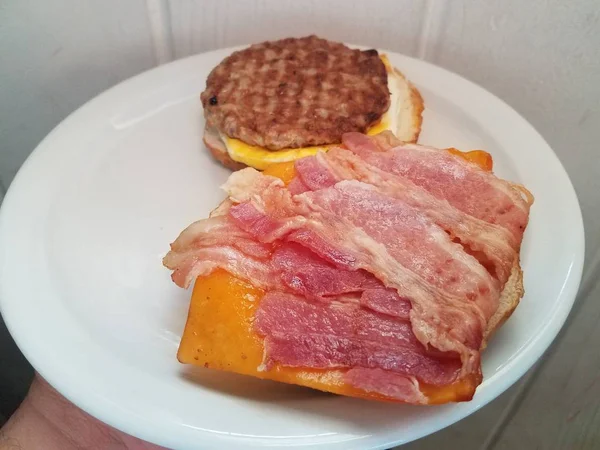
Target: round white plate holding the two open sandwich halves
{"x":88,"y":218}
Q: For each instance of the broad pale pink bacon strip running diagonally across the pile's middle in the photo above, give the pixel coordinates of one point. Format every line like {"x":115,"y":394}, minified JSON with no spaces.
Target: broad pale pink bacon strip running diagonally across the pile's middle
{"x":410,"y":238}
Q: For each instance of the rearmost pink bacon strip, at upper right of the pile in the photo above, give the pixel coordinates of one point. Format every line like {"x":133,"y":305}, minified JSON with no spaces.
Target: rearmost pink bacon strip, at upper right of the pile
{"x":446,"y":176}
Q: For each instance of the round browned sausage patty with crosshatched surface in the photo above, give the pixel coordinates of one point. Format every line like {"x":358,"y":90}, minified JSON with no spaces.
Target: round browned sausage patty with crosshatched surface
{"x":296,"y":92}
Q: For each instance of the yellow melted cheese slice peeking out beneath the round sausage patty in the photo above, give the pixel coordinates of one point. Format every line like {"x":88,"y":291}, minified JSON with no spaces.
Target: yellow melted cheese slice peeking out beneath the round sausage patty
{"x":260,"y":158}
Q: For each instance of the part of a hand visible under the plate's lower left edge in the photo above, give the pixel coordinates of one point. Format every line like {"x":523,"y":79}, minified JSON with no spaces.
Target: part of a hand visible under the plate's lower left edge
{"x":47,"y":421}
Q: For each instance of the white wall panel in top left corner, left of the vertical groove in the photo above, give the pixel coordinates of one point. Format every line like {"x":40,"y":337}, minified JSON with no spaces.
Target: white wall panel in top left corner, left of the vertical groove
{"x":57,"y":54}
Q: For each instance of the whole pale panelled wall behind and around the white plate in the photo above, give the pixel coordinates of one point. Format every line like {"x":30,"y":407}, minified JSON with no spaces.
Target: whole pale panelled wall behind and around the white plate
{"x":541,"y":56}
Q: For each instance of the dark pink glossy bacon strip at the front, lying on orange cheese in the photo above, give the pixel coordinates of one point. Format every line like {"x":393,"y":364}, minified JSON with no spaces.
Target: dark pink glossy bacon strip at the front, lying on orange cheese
{"x":300,"y":333}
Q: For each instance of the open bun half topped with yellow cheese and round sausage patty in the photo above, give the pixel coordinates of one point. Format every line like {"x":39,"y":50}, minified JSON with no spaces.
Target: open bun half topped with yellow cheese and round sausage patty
{"x":282,"y":100}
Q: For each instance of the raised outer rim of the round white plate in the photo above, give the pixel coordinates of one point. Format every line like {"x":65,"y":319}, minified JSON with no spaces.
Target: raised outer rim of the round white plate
{"x":82,"y":400}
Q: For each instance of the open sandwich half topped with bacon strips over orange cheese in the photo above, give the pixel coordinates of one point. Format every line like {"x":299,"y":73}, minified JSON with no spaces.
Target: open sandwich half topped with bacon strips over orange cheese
{"x":378,"y":269}
